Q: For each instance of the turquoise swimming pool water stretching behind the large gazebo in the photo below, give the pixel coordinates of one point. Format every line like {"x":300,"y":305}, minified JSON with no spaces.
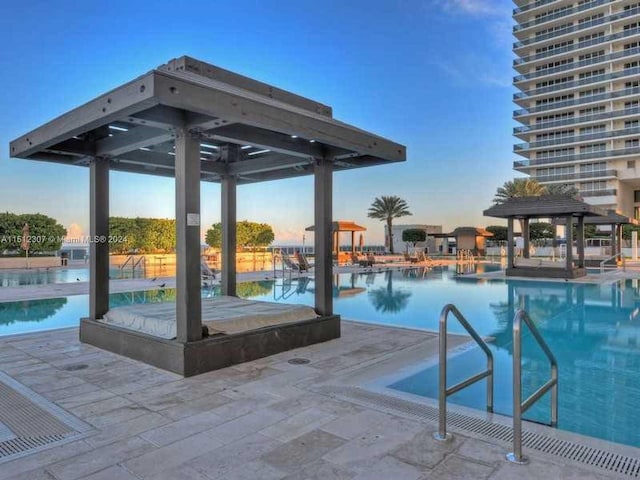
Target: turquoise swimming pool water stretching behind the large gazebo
{"x":592,"y":329}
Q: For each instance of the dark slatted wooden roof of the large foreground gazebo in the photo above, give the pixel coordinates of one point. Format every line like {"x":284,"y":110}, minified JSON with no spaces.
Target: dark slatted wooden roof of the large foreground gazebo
{"x":281,"y":133}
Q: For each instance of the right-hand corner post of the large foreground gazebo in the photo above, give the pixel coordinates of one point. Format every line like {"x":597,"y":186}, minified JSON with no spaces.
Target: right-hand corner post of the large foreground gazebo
{"x":323,"y":216}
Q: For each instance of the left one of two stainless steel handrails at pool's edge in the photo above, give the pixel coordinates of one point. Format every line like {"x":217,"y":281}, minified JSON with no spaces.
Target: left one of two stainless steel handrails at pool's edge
{"x":443,"y":391}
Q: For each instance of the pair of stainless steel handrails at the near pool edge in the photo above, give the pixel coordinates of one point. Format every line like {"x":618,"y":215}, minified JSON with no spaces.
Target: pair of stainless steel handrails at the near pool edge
{"x":519,"y":406}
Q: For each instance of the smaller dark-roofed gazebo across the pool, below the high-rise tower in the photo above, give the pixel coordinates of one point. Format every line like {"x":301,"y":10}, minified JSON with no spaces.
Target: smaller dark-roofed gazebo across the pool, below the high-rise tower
{"x":545,"y":206}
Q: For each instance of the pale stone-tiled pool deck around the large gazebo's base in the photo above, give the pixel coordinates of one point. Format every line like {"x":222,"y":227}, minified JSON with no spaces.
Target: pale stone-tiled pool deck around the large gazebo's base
{"x":260,"y":420}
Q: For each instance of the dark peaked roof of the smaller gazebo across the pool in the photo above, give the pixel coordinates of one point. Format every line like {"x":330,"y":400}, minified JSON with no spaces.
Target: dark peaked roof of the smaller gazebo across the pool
{"x":543,"y":206}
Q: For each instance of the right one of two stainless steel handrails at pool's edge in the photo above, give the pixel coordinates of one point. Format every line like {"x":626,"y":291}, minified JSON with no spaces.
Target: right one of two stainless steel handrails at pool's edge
{"x":519,"y":407}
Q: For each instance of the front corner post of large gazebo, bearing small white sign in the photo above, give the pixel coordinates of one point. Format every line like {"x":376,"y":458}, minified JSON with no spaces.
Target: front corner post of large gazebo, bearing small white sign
{"x":188,"y":269}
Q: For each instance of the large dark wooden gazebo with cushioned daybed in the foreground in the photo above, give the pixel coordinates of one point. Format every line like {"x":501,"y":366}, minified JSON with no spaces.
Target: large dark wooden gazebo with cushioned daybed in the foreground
{"x":196,"y":122}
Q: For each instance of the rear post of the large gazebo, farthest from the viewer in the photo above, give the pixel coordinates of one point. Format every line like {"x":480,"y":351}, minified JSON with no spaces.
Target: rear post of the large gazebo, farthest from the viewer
{"x":229,"y":244}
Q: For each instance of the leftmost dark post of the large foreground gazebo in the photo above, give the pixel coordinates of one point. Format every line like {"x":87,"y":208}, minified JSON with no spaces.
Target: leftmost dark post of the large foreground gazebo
{"x":99,"y":232}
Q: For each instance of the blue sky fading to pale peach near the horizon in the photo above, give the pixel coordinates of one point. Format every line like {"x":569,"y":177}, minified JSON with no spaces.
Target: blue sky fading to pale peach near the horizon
{"x":434,"y":75}
